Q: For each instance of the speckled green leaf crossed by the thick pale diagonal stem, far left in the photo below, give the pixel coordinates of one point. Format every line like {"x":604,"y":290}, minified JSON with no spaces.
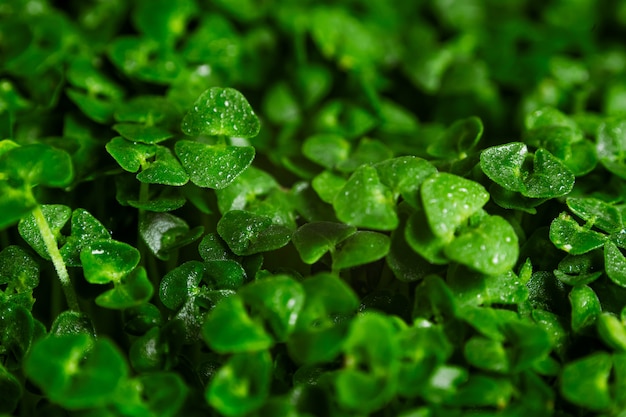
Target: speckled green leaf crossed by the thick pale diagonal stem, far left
{"x":56,"y":216}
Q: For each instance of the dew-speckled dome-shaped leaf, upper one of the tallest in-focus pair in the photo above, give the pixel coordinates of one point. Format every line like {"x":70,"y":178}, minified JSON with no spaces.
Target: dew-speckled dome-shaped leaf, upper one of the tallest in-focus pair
{"x":221,"y":111}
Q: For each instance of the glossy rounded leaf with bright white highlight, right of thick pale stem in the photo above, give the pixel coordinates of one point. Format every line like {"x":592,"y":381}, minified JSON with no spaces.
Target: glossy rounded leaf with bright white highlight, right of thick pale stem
{"x":108,"y":260}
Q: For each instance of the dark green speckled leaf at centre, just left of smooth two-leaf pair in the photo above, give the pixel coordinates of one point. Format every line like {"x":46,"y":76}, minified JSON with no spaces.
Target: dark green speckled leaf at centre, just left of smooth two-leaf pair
{"x":259,"y":234}
